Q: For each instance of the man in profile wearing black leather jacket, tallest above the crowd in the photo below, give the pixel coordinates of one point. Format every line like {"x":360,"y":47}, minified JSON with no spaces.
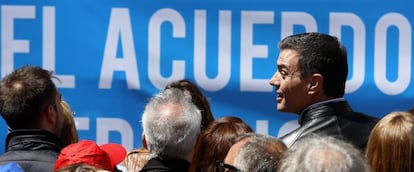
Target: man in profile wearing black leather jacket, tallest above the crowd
{"x":310,"y":81}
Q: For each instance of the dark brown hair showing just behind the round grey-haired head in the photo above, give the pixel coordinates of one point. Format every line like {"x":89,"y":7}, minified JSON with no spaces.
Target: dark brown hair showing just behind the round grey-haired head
{"x":198,"y":99}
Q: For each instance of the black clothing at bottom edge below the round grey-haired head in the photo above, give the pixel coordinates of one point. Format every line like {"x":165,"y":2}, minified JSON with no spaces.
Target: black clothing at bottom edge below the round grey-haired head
{"x":158,"y":165}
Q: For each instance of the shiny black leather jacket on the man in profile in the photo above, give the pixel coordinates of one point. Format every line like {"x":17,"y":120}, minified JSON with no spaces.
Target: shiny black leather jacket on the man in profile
{"x":336,"y":119}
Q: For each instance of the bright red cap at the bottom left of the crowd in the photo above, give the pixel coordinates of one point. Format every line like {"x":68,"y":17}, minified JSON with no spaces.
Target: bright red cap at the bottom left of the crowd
{"x":105,"y":157}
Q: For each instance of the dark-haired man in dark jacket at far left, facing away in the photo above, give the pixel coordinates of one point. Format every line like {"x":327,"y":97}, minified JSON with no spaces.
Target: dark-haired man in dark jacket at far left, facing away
{"x":30,"y":105}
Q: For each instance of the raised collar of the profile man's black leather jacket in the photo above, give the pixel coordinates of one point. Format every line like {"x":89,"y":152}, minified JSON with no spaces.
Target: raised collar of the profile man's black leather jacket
{"x":327,"y":108}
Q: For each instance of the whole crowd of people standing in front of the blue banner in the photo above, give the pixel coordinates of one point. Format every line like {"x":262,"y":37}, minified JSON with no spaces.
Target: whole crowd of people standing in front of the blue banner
{"x":180,"y":132}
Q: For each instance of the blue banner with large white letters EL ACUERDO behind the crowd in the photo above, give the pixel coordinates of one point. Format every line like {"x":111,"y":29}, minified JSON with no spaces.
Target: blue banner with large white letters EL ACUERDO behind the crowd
{"x":112,"y":56}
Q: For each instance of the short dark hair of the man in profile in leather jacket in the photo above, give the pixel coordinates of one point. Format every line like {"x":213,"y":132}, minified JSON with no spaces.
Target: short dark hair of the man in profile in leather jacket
{"x":323,"y":54}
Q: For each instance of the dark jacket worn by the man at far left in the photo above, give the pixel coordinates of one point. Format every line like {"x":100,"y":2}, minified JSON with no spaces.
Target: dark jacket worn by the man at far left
{"x":34,"y":150}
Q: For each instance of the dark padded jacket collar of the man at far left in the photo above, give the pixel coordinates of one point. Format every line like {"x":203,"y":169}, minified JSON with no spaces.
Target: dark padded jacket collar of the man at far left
{"x":32,"y":139}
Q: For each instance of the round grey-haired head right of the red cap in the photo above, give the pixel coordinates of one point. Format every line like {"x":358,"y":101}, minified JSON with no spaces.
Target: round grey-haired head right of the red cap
{"x":171,"y":124}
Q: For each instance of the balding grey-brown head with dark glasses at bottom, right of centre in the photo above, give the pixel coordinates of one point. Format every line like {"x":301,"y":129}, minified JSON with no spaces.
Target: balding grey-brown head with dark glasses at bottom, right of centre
{"x":259,"y":153}
